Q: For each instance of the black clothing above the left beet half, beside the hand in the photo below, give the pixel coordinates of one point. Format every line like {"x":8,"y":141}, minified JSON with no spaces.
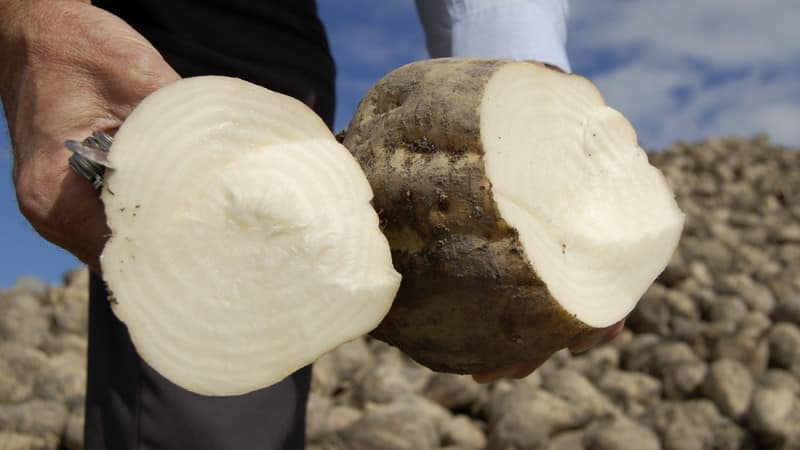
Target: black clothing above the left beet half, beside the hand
{"x":278,"y":44}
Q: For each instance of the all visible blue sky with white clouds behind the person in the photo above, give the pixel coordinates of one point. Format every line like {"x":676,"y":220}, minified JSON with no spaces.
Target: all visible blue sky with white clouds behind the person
{"x":680,"y":69}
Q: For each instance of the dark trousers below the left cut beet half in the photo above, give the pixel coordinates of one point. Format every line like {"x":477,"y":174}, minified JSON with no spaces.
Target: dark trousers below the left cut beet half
{"x":130,"y":406}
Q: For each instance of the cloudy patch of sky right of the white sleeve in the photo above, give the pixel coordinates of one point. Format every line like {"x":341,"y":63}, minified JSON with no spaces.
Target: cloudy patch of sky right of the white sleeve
{"x":687,"y":70}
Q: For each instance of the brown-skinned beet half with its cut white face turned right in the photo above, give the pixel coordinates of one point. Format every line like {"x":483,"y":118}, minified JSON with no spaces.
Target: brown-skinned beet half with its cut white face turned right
{"x":519,"y":207}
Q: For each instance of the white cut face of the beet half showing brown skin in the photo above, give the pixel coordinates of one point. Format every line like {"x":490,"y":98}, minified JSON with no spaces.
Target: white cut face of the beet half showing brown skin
{"x":597,"y":221}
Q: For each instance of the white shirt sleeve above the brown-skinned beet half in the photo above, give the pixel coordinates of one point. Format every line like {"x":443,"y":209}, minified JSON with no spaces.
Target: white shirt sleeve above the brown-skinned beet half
{"x":518,"y":29}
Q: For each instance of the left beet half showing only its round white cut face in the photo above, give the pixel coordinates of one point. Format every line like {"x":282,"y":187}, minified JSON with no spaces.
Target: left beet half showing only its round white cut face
{"x":243,"y":245}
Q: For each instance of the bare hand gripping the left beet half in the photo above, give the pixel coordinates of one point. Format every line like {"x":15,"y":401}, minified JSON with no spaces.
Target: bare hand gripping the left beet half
{"x":69,"y":69}
